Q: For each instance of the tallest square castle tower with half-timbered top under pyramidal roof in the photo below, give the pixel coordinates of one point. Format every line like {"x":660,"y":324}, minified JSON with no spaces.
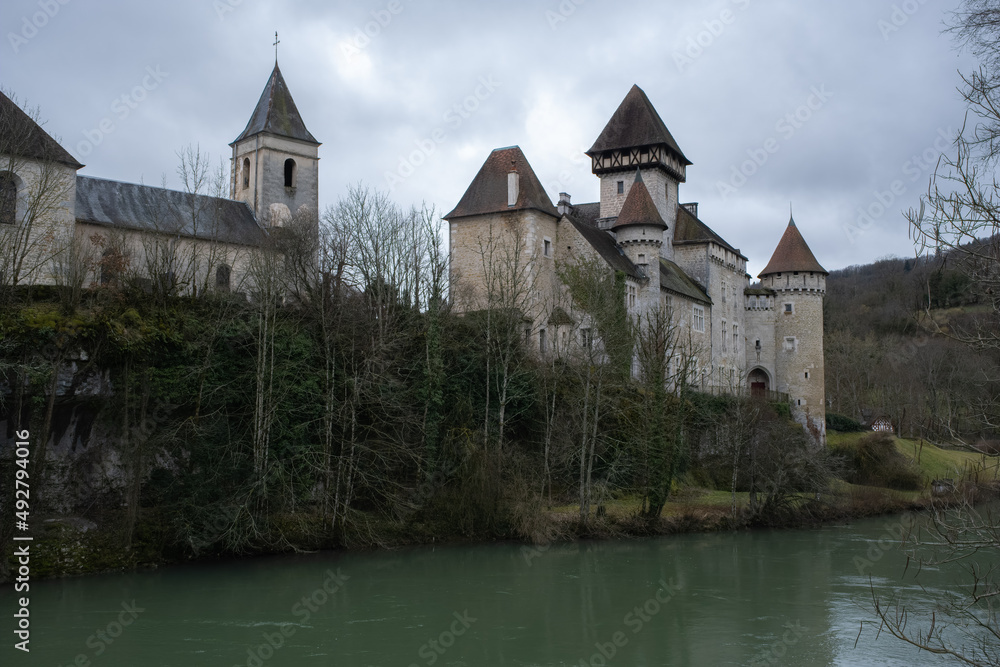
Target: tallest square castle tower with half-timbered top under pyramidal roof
{"x":637,"y":138}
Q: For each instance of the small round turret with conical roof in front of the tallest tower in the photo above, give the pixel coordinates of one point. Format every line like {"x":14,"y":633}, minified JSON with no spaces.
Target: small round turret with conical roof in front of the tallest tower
{"x":640,"y":230}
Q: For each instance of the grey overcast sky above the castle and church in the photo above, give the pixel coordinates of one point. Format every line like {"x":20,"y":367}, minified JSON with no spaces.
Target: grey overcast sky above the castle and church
{"x":840,"y":103}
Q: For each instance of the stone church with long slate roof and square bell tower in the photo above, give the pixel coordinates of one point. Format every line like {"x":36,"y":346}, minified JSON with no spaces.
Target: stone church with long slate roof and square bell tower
{"x":60,"y":226}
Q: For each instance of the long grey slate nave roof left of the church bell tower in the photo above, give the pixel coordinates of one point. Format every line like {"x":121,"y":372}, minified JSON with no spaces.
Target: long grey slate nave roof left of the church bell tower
{"x":145,"y":208}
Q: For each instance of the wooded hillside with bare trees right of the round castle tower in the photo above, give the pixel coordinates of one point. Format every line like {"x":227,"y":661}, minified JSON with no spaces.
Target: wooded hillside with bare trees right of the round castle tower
{"x":896,"y":334}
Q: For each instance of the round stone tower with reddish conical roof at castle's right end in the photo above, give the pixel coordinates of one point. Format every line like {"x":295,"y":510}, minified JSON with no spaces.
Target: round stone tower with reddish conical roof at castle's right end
{"x":798,"y":283}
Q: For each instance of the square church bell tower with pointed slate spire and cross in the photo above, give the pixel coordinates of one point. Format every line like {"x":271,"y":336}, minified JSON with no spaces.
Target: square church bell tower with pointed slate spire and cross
{"x":275,"y":163}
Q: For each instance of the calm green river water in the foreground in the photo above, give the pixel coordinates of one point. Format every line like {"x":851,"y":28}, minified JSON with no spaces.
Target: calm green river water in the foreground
{"x":782,"y":597}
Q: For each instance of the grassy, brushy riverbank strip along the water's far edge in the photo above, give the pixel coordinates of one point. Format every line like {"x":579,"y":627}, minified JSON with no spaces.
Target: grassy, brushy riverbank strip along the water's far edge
{"x":70,"y":546}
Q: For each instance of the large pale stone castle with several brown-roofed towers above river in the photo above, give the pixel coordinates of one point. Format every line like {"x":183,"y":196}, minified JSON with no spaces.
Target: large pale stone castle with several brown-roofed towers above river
{"x":736,"y":337}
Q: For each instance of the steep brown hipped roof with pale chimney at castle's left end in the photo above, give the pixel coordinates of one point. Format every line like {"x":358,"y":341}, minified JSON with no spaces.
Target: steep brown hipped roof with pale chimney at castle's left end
{"x":488,"y":191}
